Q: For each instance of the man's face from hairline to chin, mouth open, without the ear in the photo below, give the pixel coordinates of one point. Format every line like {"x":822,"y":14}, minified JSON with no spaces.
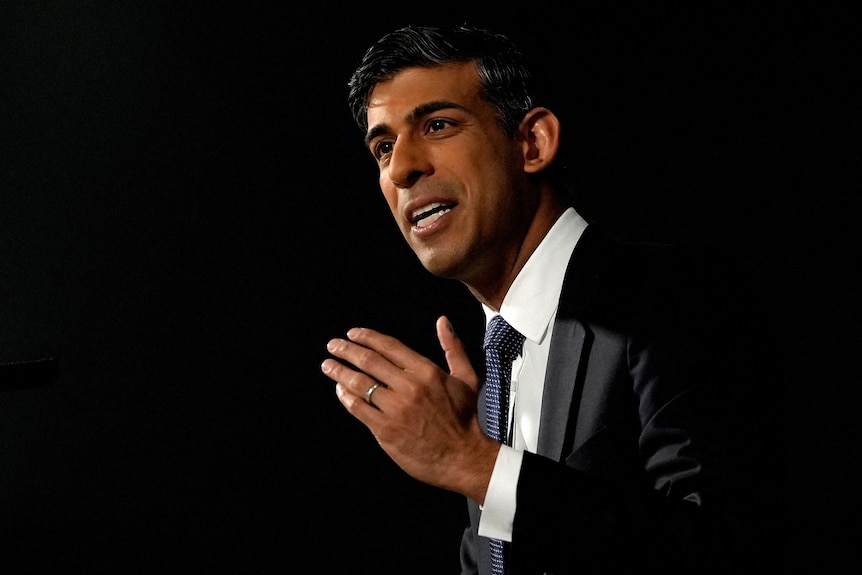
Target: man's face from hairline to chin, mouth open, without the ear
{"x":451,"y":177}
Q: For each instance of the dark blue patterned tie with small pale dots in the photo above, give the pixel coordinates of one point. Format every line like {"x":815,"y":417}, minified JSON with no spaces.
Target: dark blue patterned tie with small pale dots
{"x":502,"y":345}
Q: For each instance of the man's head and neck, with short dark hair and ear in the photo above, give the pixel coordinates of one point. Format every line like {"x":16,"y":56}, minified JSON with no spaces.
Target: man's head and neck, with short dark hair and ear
{"x":463,"y":158}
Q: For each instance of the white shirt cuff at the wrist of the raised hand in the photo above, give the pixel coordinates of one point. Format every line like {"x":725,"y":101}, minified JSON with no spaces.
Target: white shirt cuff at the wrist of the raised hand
{"x":498,"y":511}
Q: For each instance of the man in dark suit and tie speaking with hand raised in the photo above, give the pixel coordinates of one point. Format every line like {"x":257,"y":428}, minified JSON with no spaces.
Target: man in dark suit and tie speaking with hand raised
{"x":631,"y":430}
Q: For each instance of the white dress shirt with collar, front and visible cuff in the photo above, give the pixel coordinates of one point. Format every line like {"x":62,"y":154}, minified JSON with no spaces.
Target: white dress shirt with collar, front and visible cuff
{"x":530,"y":306}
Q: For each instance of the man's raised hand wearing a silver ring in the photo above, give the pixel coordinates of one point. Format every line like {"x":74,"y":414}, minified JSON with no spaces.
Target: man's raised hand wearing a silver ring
{"x":422,"y":416}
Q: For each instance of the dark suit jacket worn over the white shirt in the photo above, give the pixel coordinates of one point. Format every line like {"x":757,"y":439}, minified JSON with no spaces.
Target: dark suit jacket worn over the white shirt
{"x":653,"y":453}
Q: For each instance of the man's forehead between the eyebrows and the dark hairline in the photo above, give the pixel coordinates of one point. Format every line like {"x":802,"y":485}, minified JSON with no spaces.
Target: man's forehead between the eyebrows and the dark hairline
{"x":410,"y":88}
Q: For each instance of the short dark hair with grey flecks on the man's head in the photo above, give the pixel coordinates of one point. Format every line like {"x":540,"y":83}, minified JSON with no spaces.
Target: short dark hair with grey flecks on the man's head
{"x":506,"y":81}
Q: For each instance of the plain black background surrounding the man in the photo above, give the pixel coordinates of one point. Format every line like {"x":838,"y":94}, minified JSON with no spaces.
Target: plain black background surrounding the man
{"x":187,"y":215}
